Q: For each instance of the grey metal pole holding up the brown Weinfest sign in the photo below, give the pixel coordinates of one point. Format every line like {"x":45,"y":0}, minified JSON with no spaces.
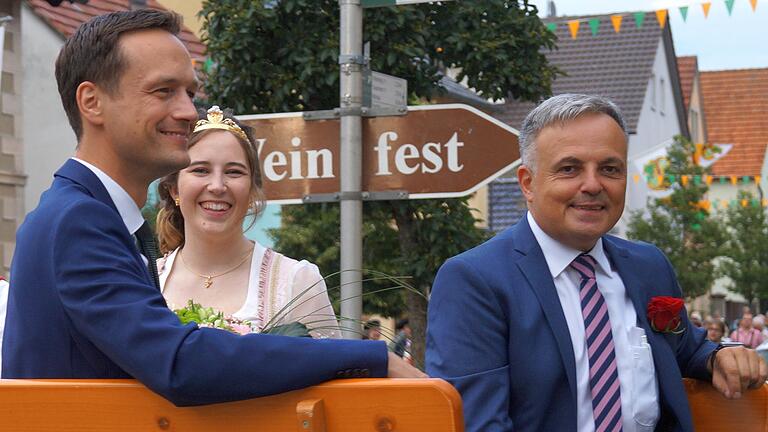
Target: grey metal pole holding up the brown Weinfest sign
{"x":352,"y":61}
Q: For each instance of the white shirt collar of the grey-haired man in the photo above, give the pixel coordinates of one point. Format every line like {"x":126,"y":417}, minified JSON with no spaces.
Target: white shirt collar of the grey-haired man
{"x":560,"y":256}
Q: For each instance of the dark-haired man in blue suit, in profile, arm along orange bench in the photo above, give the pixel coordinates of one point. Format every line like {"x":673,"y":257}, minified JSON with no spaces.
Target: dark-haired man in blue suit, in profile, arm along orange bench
{"x":83,"y":303}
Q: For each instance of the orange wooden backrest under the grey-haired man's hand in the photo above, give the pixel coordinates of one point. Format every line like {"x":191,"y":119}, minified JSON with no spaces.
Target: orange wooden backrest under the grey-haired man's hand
{"x":713,"y":412}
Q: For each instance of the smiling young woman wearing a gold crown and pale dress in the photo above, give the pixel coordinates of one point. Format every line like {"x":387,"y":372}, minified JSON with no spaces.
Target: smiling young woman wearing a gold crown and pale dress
{"x":209,"y":260}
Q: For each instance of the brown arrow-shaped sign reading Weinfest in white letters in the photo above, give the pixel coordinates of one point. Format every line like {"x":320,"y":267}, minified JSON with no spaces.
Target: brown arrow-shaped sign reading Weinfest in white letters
{"x":434,"y":151}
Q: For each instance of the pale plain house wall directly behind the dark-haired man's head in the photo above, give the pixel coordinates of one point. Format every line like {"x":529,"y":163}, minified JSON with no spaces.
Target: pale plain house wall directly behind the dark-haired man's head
{"x":49,"y":140}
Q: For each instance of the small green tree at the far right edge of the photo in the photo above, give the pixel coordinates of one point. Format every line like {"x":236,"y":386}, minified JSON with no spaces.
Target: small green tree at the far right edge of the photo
{"x":745,"y":255}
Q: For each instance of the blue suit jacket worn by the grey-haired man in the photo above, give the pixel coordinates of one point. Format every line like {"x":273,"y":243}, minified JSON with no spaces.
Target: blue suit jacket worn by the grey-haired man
{"x":497,"y":332}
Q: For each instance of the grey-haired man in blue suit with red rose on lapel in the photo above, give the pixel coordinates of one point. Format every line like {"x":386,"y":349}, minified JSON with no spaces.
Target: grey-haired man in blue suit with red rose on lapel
{"x":545,"y":327}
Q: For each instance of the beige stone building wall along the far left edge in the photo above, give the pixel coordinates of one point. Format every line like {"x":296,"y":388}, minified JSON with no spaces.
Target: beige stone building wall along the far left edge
{"x":11,"y":132}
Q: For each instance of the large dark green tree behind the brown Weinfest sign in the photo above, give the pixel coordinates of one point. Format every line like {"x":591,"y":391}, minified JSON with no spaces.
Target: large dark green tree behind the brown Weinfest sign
{"x":282,"y":55}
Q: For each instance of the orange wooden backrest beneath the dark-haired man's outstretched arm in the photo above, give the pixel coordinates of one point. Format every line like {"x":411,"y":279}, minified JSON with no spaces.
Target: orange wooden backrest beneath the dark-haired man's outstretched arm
{"x":359,"y":405}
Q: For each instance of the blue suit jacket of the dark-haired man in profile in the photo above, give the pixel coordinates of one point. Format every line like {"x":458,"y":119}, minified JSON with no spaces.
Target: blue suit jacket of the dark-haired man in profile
{"x":83,"y":305}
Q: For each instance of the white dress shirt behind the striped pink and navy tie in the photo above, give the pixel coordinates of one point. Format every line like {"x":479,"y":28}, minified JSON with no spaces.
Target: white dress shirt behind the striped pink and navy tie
{"x":637,"y":377}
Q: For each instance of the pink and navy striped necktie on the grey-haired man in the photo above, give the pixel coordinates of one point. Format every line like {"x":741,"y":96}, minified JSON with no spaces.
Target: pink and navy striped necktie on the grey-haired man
{"x":603,"y":375}
